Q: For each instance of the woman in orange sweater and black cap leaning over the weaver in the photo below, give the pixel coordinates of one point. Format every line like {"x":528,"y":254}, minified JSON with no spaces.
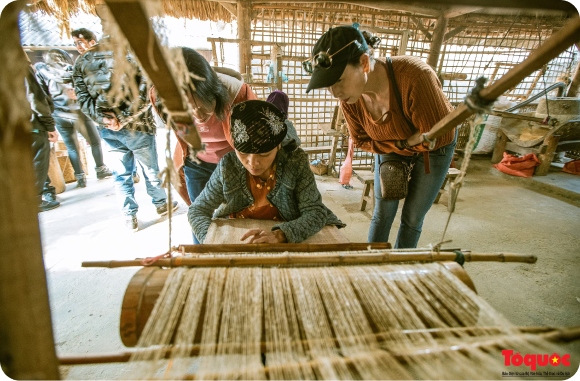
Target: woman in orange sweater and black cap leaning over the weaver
{"x":387,"y":103}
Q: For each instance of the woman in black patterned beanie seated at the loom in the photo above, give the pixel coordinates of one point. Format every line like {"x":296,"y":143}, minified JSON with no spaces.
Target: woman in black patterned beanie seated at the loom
{"x":263,"y":180}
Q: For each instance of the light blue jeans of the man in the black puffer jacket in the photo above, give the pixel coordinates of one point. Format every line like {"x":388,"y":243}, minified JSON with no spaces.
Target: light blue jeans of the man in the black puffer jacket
{"x":130,"y":146}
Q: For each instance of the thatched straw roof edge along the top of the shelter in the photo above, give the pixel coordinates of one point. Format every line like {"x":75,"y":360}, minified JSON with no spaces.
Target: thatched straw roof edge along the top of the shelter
{"x":471,"y":25}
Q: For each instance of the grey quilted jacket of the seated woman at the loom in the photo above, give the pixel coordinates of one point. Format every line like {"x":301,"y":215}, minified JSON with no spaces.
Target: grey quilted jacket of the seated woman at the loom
{"x":295,"y":195}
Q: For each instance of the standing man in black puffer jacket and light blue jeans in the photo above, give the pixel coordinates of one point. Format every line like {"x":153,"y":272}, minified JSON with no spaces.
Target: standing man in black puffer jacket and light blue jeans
{"x":126,"y":124}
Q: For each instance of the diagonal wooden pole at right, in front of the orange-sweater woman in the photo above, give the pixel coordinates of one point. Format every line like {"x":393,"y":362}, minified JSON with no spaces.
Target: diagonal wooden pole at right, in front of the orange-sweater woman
{"x":549,"y":50}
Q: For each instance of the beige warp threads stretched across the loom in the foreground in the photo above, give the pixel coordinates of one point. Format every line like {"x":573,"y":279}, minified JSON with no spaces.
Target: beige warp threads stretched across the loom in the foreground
{"x":400,"y":322}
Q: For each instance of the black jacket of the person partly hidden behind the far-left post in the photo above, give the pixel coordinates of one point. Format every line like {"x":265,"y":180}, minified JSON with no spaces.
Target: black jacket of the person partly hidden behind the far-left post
{"x":40,"y":104}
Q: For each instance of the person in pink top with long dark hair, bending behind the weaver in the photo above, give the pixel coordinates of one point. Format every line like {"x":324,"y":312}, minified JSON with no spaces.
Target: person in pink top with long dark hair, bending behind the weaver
{"x":214,"y":96}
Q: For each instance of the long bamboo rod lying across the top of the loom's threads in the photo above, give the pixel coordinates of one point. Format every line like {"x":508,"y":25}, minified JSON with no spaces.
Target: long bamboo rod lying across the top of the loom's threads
{"x":327,"y":259}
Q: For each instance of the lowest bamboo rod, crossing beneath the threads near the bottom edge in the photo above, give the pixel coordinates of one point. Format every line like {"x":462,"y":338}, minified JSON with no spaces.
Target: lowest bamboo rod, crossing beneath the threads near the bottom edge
{"x":549,"y":333}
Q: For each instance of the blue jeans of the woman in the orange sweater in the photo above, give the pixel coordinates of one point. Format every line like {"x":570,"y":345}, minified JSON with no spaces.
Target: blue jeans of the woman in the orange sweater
{"x":423,"y":189}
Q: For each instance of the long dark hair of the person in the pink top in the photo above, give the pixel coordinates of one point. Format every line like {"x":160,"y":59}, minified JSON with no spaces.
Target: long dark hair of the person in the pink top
{"x":210,"y":88}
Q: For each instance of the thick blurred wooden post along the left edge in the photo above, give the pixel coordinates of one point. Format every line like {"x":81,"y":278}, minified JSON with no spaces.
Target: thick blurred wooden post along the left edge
{"x":26,"y":338}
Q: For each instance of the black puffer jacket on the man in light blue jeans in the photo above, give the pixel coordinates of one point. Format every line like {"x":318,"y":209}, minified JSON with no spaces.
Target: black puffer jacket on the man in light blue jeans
{"x":92,"y":75}
